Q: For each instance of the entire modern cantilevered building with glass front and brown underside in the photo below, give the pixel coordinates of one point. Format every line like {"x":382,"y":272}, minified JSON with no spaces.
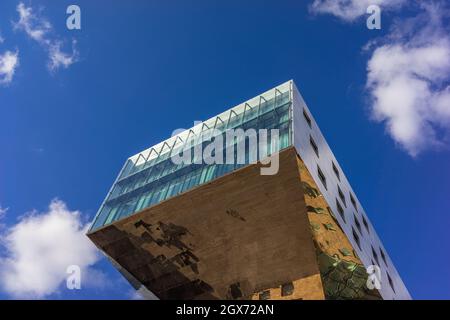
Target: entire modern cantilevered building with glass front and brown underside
{"x":199,"y":230}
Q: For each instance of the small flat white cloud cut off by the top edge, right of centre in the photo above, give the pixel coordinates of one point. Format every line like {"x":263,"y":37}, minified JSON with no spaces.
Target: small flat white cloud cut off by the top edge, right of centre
{"x":350,"y":10}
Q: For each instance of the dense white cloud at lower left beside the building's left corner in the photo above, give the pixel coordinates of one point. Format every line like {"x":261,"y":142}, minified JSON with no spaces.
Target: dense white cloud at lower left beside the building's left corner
{"x":40,"y":247}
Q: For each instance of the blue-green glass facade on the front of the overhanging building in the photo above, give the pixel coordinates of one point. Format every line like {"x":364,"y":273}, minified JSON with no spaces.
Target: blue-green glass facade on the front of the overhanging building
{"x":152,"y":176}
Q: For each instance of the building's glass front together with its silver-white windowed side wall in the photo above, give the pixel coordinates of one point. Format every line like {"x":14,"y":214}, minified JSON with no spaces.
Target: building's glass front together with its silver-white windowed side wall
{"x":151,"y":176}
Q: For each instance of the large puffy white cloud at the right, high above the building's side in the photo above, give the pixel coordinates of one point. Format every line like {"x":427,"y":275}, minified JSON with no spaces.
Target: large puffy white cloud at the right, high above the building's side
{"x":409,"y":81}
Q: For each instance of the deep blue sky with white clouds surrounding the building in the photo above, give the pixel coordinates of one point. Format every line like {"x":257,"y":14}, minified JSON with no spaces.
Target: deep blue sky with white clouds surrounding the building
{"x":79,"y":102}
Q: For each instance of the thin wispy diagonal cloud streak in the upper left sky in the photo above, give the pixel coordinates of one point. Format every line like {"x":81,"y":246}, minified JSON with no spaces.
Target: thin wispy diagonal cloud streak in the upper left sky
{"x":40,"y":29}
